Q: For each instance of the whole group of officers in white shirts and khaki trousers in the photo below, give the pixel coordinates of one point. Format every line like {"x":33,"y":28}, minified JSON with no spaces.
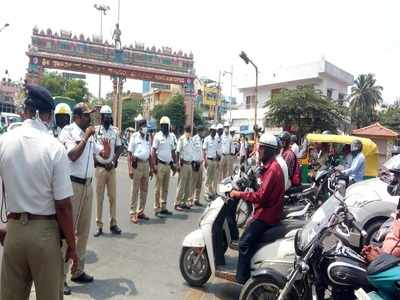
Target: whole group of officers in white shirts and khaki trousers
{"x":47,"y":174}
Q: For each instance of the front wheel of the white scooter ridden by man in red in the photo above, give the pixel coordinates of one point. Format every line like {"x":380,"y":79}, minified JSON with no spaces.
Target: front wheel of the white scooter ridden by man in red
{"x":195,"y":268}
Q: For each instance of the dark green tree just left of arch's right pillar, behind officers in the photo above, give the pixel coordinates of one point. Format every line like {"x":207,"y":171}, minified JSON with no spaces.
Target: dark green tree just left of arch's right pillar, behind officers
{"x":174,"y":109}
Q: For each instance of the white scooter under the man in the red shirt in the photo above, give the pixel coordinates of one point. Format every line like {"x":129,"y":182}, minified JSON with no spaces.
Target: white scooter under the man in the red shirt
{"x":203,"y":250}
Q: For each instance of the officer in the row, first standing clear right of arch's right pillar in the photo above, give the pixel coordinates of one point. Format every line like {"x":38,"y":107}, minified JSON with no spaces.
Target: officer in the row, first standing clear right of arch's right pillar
{"x":211,"y":147}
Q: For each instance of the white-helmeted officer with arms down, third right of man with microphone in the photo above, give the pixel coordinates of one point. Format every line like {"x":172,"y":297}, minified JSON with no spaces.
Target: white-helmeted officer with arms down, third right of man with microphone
{"x":164,"y":160}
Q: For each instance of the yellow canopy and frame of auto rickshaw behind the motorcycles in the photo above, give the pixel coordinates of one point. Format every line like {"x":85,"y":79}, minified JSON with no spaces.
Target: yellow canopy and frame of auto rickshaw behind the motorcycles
{"x":370,"y":151}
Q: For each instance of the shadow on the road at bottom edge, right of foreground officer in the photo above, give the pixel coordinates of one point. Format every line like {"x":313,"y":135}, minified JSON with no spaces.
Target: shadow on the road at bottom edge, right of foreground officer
{"x":106,"y":289}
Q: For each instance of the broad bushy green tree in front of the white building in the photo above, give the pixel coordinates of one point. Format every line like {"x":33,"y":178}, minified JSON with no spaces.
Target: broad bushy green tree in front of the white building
{"x":305,"y":110}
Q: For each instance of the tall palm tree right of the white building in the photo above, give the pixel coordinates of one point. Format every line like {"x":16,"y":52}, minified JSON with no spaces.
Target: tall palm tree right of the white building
{"x":365,"y":97}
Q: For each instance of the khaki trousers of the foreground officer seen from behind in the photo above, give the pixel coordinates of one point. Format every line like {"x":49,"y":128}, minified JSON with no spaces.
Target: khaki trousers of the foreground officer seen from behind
{"x":32,"y":254}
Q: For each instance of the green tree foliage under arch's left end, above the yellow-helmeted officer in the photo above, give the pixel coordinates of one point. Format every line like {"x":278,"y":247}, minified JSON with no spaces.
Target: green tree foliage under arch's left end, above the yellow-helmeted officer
{"x":58,"y":86}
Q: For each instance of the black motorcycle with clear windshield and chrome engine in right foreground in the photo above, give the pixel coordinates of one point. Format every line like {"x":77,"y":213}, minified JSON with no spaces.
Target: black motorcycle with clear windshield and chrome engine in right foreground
{"x":325,"y":261}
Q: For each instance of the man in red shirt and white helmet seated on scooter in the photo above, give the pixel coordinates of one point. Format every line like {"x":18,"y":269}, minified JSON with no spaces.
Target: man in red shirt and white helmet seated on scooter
{"x":268,"y":204}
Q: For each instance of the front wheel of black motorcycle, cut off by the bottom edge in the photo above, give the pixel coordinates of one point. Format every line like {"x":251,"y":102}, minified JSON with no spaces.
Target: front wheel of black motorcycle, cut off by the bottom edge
{"x":262,"y":287}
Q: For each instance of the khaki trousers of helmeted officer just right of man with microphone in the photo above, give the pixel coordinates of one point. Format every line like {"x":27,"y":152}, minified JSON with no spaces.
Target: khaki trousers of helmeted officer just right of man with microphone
{"x":105,"y":179}
